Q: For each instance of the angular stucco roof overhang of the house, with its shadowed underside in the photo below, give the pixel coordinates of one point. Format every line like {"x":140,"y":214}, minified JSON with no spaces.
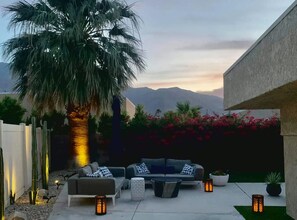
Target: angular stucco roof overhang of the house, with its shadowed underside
{"x":265,"y":76}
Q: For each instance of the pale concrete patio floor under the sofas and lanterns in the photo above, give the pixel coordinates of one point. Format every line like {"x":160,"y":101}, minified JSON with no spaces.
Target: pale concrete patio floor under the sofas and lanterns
{"x":191,"y":204}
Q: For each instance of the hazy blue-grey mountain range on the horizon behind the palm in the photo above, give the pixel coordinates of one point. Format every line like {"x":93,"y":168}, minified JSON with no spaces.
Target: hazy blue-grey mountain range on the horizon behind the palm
{"x":164,"y":99}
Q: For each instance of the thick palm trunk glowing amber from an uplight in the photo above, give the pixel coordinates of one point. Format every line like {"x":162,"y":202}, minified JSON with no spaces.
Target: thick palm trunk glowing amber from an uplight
{"x":78,"y":120}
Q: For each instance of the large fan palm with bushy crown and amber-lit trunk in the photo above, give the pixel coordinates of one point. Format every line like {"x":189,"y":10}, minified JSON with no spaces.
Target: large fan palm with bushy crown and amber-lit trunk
{"x":73,"y":54}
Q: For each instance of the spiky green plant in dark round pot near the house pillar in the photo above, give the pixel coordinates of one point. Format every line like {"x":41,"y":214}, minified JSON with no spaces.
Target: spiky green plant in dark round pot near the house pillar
{"x":273,"y":187}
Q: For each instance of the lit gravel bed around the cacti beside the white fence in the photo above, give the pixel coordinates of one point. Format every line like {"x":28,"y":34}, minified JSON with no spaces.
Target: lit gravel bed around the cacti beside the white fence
{"x":43,"y":208}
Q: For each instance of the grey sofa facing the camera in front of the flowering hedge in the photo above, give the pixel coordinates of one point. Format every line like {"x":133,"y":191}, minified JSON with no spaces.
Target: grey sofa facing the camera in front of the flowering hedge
{"x":162,"y":167}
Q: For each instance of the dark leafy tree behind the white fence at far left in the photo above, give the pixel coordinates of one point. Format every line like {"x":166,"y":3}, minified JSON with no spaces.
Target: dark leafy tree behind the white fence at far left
{"x":11,"y":111}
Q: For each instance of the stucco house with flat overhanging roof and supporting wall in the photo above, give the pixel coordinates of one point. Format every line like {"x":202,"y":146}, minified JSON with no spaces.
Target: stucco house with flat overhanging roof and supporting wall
{"x":265,"y":77}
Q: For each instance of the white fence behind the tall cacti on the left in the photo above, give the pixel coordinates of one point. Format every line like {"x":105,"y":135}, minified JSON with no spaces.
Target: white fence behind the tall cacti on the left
{"x":15,"y":141}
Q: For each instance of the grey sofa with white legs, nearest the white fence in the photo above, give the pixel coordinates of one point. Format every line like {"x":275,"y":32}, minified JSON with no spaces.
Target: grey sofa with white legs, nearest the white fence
{"x":80,"y":185}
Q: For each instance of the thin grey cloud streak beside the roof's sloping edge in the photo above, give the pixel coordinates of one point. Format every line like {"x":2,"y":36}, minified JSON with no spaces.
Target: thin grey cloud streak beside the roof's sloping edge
{"x":220,"y":45}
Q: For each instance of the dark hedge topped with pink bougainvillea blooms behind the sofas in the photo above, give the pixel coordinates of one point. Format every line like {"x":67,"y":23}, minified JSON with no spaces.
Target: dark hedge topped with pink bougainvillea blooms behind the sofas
{"x":229,"y":141}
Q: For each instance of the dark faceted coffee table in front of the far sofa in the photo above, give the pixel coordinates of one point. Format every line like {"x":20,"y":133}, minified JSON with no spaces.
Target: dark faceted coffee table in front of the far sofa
{"x":166,"y":187}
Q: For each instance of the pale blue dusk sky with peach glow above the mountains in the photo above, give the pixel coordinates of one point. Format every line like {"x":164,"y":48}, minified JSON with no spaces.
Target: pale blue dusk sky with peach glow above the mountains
{"x":191,"y":43}
